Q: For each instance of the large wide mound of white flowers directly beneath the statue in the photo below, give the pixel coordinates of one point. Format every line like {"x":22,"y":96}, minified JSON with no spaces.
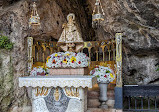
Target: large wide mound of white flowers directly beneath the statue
{"x":67,"y":59}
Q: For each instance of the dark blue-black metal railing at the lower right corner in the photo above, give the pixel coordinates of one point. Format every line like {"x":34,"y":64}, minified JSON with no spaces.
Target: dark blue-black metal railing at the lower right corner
{"x":141,"y":98}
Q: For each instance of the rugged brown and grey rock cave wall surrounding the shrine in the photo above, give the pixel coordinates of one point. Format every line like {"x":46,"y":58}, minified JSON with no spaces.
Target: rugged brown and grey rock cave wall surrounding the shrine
{"x":138,"y":20}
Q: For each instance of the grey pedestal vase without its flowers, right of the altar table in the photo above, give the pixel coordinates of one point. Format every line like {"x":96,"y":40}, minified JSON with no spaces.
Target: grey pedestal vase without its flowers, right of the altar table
{"x":103,"y":94}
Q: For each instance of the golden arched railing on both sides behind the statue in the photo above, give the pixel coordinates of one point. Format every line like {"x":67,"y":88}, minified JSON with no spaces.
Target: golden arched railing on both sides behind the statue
{"x":96,"y":50}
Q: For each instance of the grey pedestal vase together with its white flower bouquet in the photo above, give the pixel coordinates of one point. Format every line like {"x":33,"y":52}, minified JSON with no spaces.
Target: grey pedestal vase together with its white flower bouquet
{"x":104,"y":76}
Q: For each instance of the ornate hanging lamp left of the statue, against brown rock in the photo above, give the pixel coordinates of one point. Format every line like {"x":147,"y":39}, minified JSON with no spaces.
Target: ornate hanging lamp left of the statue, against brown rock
{"x":34,"y":19}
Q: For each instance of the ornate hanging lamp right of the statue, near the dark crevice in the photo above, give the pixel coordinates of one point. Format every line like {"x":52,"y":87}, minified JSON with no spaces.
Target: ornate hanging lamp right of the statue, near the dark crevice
{"x":98,"y":15}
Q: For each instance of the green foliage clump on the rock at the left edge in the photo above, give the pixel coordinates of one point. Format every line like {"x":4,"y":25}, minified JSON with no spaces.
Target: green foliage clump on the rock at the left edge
{"x":5,"y":42}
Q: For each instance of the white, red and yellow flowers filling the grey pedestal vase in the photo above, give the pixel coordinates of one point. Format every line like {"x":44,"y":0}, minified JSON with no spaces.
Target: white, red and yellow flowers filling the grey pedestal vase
{"x":103,"y":74}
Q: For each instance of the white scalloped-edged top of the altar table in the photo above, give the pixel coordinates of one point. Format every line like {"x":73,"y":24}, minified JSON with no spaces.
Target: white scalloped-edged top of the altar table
{"x":58,"y":81}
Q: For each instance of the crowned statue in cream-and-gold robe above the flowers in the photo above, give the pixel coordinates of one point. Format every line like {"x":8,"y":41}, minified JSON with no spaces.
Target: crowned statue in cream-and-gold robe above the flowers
{"x":70,"y":39}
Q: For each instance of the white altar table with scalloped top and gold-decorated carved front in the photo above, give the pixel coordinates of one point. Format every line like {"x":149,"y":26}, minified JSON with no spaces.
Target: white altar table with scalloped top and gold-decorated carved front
{"x":66,"y":93}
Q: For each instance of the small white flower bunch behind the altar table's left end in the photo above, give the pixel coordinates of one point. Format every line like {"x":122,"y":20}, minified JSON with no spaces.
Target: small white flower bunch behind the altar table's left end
{"x":38,"y":71}
